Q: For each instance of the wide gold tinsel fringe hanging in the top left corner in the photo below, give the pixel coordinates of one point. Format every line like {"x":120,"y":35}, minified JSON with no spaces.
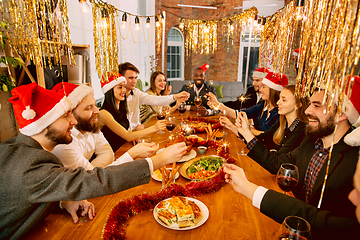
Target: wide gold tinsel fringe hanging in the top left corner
{"x":39,"y":30}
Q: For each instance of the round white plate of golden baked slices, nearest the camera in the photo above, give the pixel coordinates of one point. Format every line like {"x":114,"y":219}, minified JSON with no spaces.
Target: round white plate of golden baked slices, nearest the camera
{"x":181,"y":213}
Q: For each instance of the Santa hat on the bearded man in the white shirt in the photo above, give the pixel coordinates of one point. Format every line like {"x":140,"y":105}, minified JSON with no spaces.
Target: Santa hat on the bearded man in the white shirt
{"x":75,"y":93}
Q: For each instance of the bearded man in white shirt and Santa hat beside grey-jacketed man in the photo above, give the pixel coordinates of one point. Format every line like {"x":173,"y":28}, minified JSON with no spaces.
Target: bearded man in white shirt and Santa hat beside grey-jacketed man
{"x":89,"y":147}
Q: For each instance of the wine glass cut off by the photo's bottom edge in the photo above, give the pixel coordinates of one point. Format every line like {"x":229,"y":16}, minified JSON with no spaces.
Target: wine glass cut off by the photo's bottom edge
{"x":294,"y":228}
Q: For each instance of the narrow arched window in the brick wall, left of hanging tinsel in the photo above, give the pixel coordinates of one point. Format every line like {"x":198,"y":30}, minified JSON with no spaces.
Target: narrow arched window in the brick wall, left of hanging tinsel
{"x":175,"y":55}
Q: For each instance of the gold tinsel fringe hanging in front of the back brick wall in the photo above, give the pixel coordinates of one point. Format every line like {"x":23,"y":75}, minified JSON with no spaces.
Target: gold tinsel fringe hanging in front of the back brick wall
{"x":201,"y":36}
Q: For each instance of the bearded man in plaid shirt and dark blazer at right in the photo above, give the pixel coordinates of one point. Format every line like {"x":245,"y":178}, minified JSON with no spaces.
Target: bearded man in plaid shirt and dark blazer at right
{"x":335,"y":217}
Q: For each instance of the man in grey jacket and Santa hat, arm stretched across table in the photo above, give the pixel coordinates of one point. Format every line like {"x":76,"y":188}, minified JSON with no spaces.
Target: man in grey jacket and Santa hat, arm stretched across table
{"x":33,"y":179}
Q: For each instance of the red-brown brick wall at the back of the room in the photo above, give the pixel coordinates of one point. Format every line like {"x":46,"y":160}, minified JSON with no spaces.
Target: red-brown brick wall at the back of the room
{"x":224,"y":62}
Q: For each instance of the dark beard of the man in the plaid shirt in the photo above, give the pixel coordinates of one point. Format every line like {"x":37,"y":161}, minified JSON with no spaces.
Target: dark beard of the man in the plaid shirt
{"x":322,"y":130}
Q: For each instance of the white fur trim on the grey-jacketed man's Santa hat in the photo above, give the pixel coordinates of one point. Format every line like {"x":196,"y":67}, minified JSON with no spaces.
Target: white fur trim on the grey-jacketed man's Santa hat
{"x":51,"y":116}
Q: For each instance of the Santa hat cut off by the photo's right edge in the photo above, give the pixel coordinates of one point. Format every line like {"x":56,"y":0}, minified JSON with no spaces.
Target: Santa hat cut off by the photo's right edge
{"x":352,"y":111}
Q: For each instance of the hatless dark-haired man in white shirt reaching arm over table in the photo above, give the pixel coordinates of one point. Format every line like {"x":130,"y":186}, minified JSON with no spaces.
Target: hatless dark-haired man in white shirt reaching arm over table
{"x":135,"y":97}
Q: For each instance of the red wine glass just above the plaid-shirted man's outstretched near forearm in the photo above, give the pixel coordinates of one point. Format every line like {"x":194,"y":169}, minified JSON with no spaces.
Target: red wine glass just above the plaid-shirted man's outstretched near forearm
{"x":287,"y":177}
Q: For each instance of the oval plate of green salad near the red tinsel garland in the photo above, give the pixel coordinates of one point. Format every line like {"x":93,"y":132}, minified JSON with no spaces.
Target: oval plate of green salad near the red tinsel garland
{"x":202,"y":168}
